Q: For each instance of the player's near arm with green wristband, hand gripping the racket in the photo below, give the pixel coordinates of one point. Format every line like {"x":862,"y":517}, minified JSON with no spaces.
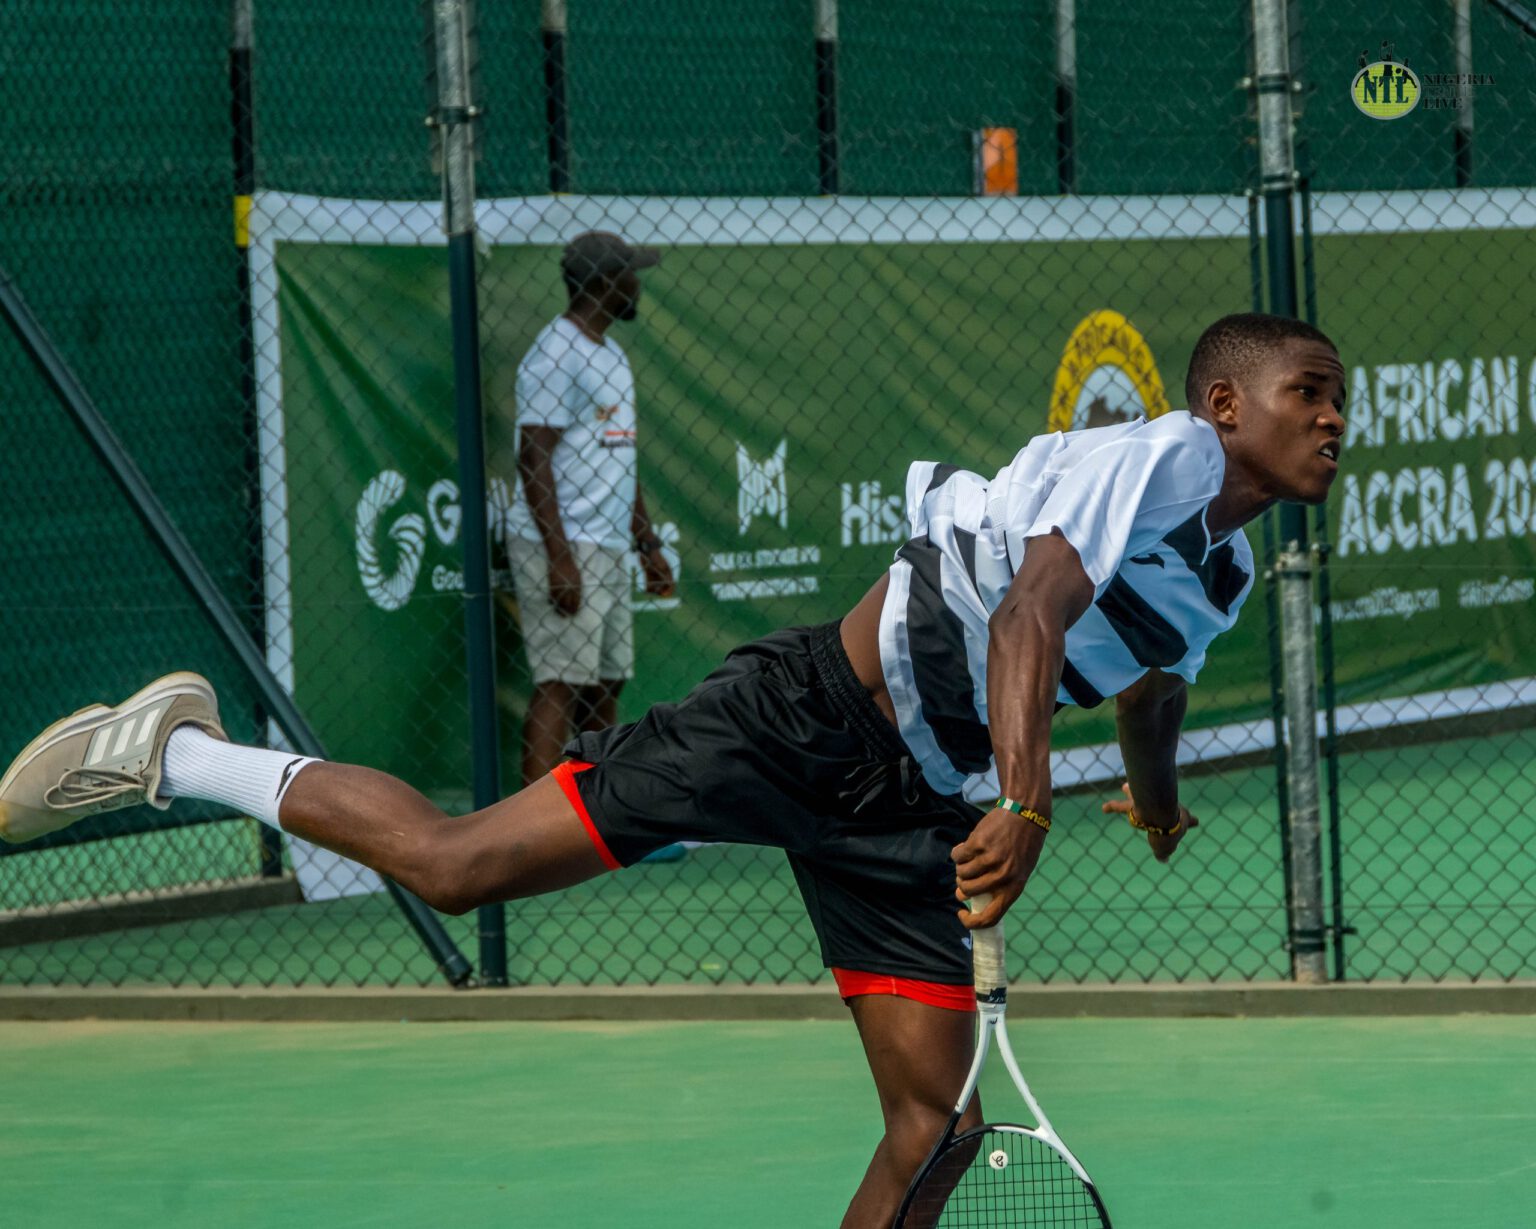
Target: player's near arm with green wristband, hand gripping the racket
{"x":1025,"y":652}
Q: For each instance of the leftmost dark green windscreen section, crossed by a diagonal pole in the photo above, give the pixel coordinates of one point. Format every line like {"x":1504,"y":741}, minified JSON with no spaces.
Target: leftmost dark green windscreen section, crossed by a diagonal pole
{"x":116,"y":185}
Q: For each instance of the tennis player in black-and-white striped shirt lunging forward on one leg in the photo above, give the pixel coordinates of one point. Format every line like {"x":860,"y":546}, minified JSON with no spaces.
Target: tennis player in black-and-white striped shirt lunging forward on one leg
{"x":1097,"y":563}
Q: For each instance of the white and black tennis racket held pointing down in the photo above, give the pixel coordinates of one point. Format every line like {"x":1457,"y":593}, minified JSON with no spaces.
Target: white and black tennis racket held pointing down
{"x":999,"y":1176}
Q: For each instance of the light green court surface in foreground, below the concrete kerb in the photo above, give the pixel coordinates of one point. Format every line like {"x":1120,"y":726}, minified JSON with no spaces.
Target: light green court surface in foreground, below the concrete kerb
{"x":1256,"y":1124}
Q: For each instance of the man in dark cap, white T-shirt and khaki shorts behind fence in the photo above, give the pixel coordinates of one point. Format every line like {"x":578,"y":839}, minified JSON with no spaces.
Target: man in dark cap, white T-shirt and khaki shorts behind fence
{"x":580,"y":509}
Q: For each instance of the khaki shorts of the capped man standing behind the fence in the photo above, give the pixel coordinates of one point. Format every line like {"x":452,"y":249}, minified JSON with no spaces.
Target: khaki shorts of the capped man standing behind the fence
{"x":594,"y":644}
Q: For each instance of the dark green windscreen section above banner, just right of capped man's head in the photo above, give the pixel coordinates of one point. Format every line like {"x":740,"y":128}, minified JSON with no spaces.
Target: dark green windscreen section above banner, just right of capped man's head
{"x":692,"y":99}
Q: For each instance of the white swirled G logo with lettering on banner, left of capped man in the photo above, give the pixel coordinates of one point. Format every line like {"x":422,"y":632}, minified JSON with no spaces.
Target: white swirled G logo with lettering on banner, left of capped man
{"x":392,"y":543}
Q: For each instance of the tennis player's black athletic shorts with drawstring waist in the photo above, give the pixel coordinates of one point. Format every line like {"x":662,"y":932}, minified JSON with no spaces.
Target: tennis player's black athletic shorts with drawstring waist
{"x":784,"y":747}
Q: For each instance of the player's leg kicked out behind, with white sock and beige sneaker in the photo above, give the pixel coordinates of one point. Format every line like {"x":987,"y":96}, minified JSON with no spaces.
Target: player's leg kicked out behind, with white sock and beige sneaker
{"x":167,"y":743}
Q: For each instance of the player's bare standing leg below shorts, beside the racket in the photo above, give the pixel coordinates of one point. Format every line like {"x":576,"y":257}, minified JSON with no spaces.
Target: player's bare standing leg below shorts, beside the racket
{"x":919,"y":1056}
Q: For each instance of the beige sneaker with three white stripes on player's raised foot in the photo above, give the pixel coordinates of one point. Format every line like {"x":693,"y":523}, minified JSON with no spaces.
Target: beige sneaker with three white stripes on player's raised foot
{"x":102,"y":760}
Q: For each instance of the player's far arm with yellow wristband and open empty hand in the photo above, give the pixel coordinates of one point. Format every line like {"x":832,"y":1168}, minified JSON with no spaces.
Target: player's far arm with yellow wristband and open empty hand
{"x":1148,"y":718}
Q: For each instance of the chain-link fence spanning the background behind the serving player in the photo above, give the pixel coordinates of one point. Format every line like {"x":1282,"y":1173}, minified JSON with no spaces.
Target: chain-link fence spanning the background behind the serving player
{"x":887,"y":234}
